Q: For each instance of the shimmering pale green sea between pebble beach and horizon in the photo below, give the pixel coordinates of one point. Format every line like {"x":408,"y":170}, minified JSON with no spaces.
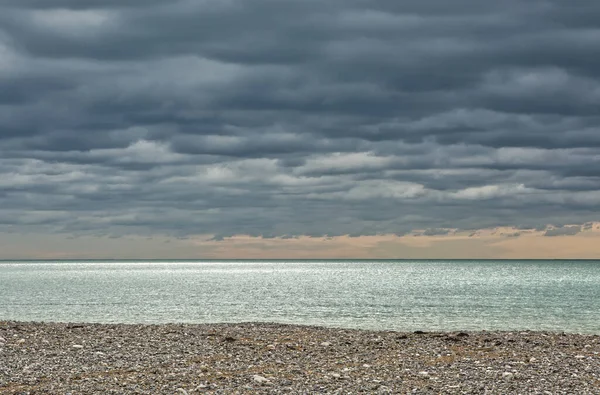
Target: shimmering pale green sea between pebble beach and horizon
{"x":398,"y":295}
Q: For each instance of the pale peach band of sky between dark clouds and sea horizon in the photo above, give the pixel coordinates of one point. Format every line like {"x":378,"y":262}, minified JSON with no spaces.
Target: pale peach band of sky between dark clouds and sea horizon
{"x":499,"y":243}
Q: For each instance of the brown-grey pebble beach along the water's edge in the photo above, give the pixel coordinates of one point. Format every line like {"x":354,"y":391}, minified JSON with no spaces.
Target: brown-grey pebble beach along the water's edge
{"x":288,"y":359}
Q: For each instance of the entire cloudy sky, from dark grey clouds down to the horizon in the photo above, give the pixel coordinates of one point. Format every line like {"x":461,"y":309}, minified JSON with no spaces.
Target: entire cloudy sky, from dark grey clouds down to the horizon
{"x":299,"y":129}
